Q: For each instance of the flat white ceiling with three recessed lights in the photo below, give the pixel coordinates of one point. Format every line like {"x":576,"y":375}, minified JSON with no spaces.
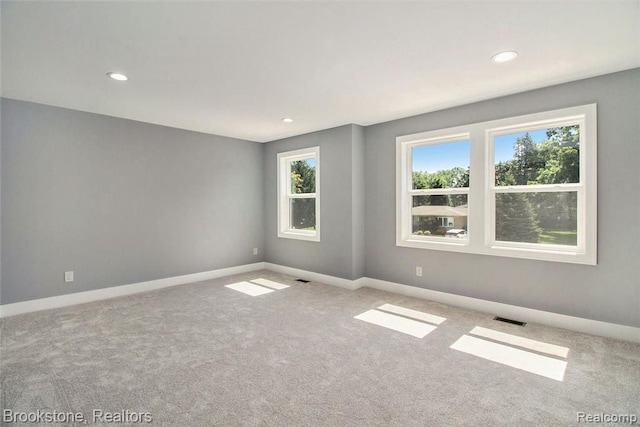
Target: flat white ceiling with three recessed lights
{"x":237,"y":68}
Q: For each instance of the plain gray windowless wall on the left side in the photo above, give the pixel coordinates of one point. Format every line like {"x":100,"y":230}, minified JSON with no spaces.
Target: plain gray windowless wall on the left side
{"x":120,"y":202}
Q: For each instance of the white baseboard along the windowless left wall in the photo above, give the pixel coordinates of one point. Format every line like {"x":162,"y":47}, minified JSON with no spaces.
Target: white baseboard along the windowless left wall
{"x":7,"y":310}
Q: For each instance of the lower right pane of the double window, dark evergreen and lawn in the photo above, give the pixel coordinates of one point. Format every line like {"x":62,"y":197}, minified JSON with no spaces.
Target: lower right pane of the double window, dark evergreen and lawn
{"x":548,"y":218}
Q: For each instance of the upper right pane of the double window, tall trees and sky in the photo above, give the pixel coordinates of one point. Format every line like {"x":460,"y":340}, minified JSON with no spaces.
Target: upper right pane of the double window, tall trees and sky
{"x":541,"y":156}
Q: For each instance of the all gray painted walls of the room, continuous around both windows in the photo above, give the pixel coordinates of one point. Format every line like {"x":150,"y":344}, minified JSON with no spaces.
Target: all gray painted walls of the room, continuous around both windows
{"x":123,"y":202}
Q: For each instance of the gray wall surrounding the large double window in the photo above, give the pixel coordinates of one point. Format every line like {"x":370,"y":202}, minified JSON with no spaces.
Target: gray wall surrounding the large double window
{"x":609,"y":291}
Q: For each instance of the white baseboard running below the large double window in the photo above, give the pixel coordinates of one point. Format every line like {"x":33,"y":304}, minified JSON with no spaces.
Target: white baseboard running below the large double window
{"x":593,"y":327}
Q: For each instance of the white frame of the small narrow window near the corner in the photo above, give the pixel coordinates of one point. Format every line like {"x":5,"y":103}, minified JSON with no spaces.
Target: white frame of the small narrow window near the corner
{"x":285,"y":195}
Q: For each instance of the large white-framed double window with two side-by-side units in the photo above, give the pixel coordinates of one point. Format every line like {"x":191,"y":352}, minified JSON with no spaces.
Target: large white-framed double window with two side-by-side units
{"x":521,"y":187}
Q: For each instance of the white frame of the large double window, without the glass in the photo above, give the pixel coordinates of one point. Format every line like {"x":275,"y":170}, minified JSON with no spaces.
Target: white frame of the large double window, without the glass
{"x":482,"y":190}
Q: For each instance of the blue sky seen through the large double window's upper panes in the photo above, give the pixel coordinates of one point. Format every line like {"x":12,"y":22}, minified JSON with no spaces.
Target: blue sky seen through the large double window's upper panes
{"x":436,"y":157}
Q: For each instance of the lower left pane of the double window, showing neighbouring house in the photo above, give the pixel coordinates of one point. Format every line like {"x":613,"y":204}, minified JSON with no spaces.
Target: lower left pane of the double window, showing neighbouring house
{"x":440,"y":215}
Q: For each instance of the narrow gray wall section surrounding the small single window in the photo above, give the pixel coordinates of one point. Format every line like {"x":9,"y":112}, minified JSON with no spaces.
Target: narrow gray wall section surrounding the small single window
{"x":340,"y":251}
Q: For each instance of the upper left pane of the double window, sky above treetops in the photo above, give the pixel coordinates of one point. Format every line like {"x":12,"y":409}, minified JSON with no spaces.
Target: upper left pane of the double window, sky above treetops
{"x":444,"y":165}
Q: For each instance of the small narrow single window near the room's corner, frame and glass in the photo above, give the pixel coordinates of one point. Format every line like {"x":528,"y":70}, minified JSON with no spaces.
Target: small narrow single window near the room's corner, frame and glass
{"x":299,"y":194}
